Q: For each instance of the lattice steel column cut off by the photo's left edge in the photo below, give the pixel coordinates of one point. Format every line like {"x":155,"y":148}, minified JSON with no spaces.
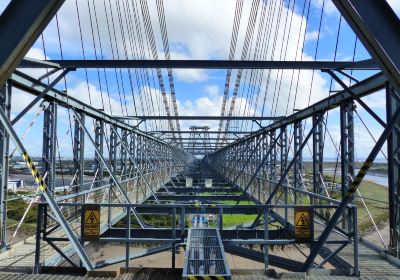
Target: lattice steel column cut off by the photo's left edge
{"x":5,"y":104}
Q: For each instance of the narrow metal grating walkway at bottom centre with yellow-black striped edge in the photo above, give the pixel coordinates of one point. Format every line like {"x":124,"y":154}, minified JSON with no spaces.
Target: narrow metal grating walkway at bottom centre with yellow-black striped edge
{"x":205,"y":255}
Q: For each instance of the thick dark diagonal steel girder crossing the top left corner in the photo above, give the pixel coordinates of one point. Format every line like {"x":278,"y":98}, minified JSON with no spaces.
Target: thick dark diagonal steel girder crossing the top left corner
{"x":21,"y":23}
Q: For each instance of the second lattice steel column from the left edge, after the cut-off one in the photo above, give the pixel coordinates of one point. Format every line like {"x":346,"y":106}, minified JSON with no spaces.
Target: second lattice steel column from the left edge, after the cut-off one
{"x":50,"y":145}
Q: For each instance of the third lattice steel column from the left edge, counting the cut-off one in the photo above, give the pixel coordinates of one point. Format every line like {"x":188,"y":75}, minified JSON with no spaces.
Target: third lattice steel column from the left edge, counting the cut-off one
{"x":79,"y":154}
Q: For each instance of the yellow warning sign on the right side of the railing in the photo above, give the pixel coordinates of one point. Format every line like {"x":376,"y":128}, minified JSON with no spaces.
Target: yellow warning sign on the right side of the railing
{"x":303,"y":225}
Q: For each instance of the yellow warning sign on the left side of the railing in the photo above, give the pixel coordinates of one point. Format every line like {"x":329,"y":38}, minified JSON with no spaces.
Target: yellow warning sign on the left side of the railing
{"x":91,"y":222}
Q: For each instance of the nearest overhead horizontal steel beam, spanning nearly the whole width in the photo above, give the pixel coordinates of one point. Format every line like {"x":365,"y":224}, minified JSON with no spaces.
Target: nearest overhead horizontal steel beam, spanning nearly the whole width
{"x":206,"y":64}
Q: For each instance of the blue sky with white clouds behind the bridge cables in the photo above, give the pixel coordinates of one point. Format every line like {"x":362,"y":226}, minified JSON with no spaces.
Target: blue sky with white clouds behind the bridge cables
{"x":201,"y":30}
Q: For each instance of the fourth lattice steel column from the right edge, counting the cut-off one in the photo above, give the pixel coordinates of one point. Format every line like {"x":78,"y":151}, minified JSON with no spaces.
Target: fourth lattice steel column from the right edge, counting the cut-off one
{"x":298,"y":166}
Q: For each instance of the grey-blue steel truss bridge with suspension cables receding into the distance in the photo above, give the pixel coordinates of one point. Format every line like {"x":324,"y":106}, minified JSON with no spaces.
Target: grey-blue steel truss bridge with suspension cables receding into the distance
{"x":143,"y":164}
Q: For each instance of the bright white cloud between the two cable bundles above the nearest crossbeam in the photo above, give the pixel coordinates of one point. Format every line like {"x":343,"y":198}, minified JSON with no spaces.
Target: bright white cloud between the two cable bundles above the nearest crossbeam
{"x":199,"y":28}
